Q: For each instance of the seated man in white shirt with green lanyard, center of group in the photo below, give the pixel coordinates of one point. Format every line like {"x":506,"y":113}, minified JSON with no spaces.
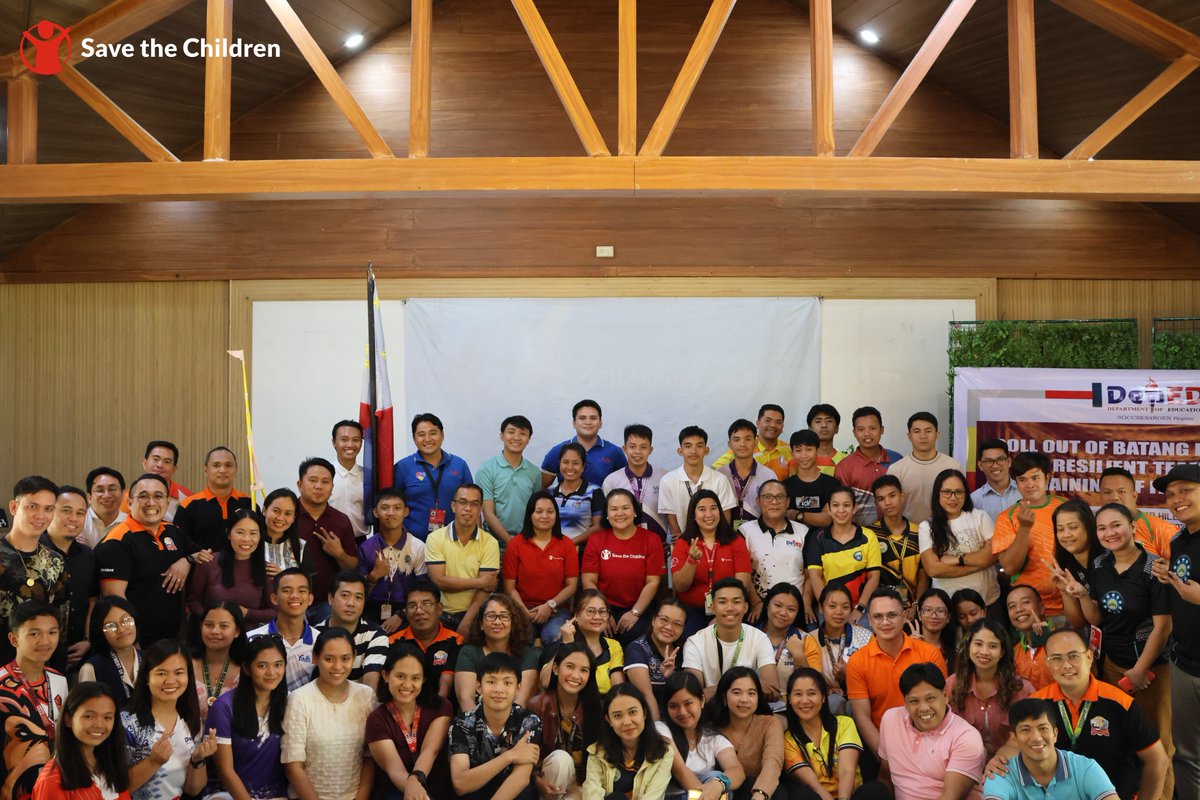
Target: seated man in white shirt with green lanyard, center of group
{"x":729,"y":642}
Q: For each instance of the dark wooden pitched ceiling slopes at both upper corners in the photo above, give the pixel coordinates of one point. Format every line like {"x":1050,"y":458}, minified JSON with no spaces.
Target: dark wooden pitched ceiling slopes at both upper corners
{"x":1084,"y":75}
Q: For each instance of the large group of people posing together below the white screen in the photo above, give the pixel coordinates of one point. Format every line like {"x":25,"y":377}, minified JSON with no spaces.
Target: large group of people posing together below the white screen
{"x":785,"y":622}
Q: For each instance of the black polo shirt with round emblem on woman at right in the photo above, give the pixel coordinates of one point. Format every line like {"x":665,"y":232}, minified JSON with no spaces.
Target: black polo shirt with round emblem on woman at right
{"x":1127,"y":603}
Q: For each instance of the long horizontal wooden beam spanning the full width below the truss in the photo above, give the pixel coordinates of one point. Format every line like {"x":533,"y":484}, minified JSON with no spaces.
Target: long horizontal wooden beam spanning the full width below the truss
{"x":1161,"y":182}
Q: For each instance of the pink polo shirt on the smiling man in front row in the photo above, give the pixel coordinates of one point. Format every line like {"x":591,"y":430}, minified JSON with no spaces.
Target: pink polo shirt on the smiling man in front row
{"x":920,"y":761}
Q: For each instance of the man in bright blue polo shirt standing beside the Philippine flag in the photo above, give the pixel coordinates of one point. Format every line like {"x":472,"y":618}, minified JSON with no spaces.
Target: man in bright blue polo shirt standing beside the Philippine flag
{"x":430,"y":478}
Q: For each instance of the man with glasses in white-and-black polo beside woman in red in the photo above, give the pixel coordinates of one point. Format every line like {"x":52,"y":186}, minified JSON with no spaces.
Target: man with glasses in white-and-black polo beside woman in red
{"x":777,"y":549}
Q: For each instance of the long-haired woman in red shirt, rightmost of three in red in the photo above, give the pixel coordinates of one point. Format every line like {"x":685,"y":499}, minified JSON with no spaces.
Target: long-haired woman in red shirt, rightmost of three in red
{"x":707,"y":551}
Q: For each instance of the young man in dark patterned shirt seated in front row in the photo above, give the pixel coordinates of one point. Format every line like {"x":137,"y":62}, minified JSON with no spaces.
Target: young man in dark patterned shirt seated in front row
{"x":494,"y":748}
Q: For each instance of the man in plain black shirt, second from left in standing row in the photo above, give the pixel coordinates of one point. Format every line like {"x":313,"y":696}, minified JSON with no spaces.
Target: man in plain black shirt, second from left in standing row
{"x":63,"y":538}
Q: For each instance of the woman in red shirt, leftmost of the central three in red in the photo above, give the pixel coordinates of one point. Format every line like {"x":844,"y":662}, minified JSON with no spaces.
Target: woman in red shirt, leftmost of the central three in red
{"x":542,"y":568}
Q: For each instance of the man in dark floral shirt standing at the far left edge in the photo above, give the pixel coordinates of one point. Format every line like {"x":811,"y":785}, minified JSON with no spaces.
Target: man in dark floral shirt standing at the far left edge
{"x":29,"y":570}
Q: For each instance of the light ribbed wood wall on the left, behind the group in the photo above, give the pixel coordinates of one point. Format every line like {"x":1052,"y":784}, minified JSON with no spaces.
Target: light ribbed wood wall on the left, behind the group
{"x":95,"y":371}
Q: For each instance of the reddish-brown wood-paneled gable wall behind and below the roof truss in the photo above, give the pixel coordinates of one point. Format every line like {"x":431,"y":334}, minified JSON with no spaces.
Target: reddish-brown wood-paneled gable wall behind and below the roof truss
{"x":493,"y":98}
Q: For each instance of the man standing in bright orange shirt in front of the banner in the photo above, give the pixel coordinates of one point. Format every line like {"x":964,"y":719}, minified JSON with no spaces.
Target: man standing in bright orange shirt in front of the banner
{"x":1024,"y":536}
